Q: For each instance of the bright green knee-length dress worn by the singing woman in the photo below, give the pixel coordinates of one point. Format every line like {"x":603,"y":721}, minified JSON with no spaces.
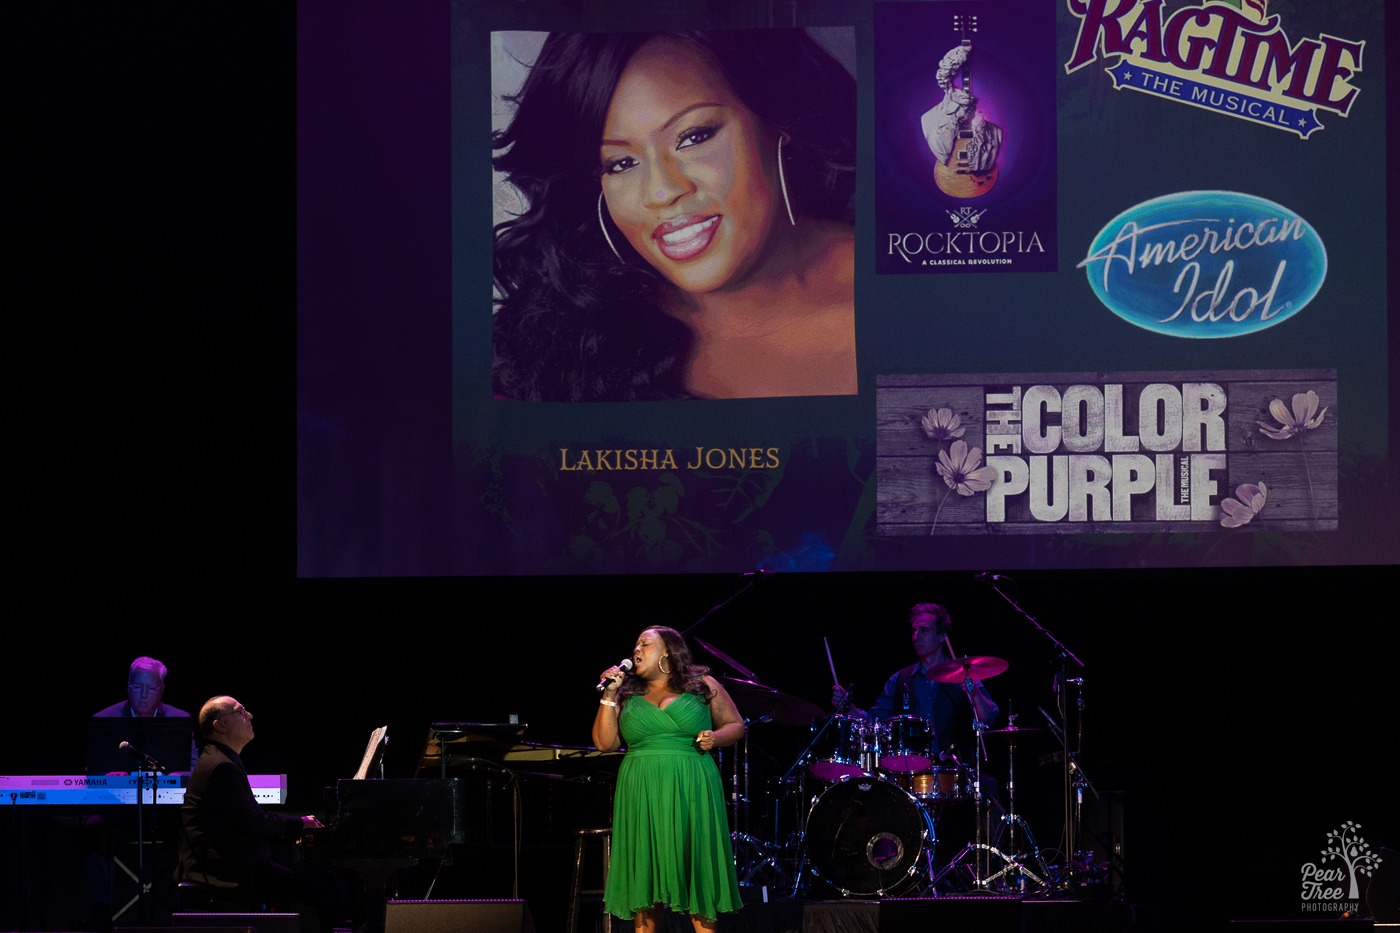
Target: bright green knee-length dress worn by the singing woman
{"x":671,"y":833}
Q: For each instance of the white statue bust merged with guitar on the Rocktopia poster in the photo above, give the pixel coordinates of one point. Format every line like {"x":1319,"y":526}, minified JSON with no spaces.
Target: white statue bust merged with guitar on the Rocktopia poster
{"x":964,"y":142}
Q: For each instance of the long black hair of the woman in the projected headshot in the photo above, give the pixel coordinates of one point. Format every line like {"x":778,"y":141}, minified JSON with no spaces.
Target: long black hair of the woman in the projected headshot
{"x":572,"y":323}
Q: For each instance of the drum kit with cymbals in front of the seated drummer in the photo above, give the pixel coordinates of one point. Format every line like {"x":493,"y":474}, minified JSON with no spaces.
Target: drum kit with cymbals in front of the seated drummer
{"x":873,"y":809}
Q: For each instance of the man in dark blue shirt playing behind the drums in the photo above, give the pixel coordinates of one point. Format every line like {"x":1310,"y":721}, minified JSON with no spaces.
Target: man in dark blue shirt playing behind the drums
{"x":912,"y":691}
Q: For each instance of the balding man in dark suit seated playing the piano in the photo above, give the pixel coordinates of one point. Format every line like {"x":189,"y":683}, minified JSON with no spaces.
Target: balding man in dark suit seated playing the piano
{"x":227,"y":837}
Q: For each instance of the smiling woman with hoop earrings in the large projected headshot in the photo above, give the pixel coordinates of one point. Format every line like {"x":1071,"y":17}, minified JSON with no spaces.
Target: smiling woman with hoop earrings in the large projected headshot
{"x":685,"y":223}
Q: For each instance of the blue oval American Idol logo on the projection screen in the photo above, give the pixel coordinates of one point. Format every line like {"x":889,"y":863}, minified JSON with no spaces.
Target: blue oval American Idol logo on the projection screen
{"x":1206,"y":264}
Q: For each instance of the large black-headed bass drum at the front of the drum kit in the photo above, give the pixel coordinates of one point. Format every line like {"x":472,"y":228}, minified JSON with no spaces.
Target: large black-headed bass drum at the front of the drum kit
{"x":867,"y":836}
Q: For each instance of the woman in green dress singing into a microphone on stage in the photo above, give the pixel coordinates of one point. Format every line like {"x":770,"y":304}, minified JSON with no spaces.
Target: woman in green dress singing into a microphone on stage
{"x":671,"y":845}
